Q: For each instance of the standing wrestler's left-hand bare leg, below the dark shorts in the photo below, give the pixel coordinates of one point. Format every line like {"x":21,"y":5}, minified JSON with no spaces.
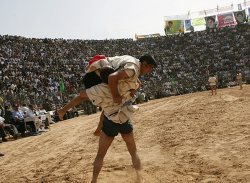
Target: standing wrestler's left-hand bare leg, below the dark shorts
{"x":104,"y":143}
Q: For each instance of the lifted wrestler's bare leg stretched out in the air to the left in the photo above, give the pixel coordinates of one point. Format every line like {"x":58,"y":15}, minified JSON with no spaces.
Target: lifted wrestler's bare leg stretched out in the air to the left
{"x":75,"y":101}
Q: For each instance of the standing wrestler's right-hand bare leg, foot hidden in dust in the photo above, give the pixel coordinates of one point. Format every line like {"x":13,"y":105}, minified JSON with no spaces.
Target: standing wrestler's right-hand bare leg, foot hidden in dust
{"x":130,"y":142}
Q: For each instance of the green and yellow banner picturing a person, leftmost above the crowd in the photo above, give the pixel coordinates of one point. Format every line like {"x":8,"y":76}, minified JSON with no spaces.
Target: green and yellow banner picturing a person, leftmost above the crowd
{"x":174,"y":27}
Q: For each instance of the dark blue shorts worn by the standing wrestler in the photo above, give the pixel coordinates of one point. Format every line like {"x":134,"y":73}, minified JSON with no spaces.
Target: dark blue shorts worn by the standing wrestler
{"x":112,"y":129}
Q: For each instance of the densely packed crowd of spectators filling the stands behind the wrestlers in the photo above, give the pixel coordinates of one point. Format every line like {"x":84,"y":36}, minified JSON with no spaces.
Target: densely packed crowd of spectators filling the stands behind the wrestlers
{"x":37,"y":70}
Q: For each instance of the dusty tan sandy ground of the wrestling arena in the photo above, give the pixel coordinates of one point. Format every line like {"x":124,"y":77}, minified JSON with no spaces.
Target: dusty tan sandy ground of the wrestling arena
{"x":191,"y":138}
